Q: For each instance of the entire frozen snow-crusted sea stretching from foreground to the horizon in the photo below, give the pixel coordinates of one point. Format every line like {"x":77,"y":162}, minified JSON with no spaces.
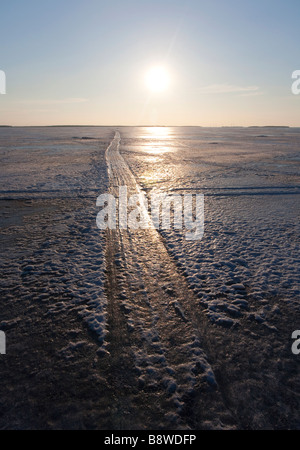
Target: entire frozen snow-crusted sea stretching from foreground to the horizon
{"x":143,"y":329}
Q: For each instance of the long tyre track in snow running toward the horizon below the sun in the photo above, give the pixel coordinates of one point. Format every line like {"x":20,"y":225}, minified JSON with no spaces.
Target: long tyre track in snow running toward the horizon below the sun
{"x":164,"y":343}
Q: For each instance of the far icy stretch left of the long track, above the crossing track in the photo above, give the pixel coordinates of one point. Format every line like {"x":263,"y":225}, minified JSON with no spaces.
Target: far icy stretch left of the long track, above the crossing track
{"x":51,"y":161}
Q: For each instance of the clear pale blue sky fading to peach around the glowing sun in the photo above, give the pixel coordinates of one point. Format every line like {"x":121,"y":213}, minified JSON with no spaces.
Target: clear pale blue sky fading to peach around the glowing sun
{"x":75,"y":62}
